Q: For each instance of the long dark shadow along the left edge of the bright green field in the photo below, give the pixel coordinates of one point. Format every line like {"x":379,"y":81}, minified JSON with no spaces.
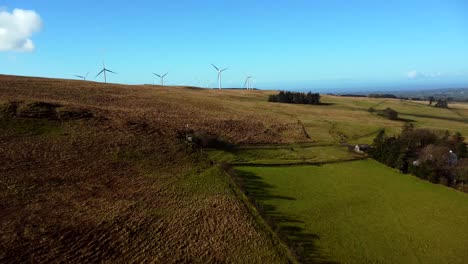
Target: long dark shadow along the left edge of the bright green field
{"x":301,"y":242}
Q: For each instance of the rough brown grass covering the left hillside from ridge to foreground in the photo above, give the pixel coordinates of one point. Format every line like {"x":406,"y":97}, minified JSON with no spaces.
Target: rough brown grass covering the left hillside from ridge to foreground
{"x":113,"y":188}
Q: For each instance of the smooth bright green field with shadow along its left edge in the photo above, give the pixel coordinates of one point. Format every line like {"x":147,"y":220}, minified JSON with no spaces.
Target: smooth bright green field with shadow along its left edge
{"x":361,"y":212}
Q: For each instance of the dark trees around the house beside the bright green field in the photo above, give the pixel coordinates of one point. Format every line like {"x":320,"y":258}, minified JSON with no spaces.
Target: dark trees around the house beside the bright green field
{"x":434,"y":156}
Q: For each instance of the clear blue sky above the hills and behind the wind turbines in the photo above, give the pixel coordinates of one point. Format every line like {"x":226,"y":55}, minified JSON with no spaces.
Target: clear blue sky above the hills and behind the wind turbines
{"x":316,"y":45}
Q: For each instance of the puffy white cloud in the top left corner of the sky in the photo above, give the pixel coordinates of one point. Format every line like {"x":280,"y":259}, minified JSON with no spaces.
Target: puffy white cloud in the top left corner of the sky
{"x":16,"y":29}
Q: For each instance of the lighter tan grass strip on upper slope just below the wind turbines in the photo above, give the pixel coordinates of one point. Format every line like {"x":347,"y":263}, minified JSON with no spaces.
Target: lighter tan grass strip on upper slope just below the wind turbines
{"x":165,"y":108}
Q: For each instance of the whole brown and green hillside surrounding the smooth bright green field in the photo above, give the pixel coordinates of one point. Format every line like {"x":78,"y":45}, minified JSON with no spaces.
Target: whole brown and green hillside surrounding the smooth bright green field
{"x":93,"y":171}
